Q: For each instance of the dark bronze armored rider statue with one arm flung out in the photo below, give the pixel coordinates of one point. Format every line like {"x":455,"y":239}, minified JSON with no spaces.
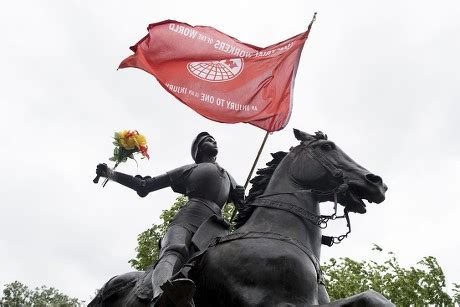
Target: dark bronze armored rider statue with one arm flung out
{"x":208,"y":187}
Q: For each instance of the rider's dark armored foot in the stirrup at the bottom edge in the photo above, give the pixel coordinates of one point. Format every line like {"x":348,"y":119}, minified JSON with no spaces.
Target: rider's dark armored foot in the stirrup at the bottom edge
{"x":177,"y":293}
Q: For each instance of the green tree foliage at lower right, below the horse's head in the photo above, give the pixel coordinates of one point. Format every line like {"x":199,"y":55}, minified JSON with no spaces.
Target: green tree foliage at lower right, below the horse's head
{"x":418,"y":285}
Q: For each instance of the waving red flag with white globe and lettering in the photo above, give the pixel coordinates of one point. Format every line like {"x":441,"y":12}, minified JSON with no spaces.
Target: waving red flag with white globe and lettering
{"x":220,"y":77}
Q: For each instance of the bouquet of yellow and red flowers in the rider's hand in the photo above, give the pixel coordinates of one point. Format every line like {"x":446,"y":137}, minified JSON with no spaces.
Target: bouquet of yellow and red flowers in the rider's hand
{"x":127,"y":144}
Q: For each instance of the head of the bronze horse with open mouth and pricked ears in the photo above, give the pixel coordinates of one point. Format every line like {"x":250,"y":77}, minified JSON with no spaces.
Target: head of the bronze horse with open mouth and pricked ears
{"x":319,"y":164}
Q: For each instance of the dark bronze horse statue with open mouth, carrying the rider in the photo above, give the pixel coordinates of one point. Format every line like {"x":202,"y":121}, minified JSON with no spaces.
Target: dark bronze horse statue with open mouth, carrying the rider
{"x":273,"y":257}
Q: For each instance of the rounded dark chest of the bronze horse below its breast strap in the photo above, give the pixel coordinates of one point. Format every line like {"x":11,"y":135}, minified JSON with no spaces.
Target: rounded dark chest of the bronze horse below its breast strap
{"x":262,"y":272}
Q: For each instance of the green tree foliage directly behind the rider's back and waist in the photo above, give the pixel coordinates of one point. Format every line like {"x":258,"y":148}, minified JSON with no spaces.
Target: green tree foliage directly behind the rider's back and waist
{"x":147,"y":248}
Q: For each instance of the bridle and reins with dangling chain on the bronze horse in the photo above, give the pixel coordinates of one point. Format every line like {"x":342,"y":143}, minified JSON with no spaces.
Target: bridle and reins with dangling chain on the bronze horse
{"x":322,"y":220}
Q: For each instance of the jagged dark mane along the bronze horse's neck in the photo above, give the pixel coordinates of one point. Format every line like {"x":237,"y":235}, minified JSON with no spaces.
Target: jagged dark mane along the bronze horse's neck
{"x":259,"y":183}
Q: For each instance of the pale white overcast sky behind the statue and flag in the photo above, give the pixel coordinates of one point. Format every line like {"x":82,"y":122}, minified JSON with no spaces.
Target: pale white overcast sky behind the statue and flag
{"x":381,"y":78}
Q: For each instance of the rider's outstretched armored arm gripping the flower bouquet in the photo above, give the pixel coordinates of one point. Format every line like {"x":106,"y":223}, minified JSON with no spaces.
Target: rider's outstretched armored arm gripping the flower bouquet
{"x":142,"y":185}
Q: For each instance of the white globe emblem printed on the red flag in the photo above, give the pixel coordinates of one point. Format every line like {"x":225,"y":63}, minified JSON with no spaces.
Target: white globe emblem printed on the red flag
{"x":216,"y":71}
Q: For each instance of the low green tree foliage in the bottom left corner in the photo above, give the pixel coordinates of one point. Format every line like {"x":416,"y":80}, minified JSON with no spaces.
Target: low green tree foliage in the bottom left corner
{"x":16,"y":294}
